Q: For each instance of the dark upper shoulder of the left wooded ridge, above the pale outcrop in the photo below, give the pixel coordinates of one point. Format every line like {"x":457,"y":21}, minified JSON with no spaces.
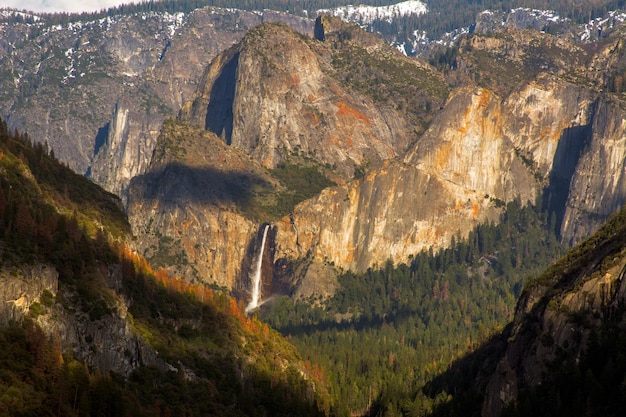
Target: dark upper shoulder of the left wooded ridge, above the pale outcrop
{"x":41,"y":200}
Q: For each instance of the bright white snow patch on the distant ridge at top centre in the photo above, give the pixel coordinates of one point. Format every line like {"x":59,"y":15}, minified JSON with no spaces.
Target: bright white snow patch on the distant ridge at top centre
{"x":367,"y":14}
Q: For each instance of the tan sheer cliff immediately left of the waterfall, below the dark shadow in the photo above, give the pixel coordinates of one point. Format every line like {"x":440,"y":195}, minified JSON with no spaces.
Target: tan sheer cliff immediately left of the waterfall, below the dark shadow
{"x":207,"y":243}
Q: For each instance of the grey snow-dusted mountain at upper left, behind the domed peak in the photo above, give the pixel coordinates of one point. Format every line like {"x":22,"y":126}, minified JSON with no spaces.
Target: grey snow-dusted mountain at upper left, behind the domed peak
{"x":97,"y":91}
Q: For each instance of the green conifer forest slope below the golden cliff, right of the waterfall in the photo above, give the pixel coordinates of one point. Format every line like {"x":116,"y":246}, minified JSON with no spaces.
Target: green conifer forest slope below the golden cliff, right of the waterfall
{"x":387,"y":332}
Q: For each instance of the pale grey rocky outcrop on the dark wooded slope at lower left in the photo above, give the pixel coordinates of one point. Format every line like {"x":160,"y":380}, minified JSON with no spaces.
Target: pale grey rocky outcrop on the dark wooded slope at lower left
{"x":108,"y":343}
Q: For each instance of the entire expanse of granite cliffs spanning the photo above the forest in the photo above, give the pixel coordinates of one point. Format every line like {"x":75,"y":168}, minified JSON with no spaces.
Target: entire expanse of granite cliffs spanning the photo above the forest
{"x":532,"y":116}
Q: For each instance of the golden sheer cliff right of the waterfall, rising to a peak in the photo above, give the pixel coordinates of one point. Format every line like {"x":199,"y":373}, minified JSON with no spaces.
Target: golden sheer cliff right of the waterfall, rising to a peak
{"x":443,"y":188}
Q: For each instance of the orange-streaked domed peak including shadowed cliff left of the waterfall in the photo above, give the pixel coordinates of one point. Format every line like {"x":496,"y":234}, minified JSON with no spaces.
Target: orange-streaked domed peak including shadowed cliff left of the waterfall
{"x":282,"y":102}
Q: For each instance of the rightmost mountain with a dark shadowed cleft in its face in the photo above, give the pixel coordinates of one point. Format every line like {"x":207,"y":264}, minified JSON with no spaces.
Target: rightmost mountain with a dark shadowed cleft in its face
{"x":583,"y":83}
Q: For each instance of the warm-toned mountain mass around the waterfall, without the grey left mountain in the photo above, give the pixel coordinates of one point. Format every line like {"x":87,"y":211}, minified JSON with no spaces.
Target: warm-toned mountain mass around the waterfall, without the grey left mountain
{"x":532,"y":117}
